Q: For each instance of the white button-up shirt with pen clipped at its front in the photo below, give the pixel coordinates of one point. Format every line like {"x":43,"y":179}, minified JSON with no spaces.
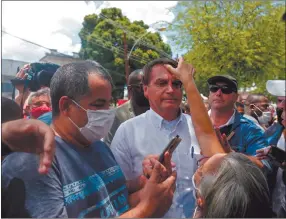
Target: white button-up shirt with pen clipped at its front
{"x":148,"y":134}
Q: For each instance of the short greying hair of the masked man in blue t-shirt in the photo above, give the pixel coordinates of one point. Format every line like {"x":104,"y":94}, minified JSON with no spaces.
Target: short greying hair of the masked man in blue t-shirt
{"x":72,"y":80}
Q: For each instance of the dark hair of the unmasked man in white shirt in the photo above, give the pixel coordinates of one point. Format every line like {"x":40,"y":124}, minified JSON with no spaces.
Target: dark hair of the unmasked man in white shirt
{"x":149,"y":66}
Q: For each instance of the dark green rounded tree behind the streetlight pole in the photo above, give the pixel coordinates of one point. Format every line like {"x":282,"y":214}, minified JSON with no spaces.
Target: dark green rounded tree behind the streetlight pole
{"x":102,"y":41}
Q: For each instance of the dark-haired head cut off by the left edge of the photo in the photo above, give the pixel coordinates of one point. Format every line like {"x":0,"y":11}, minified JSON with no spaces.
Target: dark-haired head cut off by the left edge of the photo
{"x":10,"y":110}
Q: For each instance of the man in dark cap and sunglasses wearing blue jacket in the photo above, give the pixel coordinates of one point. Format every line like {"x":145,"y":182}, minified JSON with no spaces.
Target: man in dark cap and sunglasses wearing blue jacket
{"x":243,"y":135}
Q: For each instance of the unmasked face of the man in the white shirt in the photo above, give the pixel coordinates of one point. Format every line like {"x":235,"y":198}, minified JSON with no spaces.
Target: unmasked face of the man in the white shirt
{"x":163,"y":91}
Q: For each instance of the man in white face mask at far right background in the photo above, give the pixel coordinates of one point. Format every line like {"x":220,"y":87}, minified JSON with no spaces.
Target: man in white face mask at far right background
{"x":257,"y":110}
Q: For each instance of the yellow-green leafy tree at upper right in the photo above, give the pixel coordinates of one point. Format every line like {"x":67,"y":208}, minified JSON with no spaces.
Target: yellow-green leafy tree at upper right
{"x":245,"y":39}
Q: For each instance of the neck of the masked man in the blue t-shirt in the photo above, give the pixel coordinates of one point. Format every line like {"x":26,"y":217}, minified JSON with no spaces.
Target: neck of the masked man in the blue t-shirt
{"x":67,"y":132}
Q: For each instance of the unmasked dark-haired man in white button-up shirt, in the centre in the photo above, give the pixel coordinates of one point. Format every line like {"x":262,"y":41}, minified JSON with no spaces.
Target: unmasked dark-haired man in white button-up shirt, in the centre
{"x":150,"y":132}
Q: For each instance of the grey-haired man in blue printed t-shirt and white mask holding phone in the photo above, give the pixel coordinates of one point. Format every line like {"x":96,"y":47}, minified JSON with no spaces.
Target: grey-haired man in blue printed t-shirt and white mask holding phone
{"x":84,"y":179}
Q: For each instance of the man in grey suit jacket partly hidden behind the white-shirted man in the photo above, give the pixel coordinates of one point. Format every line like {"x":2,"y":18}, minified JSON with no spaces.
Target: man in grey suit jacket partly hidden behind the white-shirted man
{"x":137,"y":104}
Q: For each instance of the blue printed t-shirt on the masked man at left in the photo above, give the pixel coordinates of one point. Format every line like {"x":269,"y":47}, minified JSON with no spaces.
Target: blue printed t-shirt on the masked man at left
{"x":82,"y":182}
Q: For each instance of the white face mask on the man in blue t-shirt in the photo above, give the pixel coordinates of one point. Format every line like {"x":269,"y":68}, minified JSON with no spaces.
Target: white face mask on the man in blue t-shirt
{"x":98,"y":125}
